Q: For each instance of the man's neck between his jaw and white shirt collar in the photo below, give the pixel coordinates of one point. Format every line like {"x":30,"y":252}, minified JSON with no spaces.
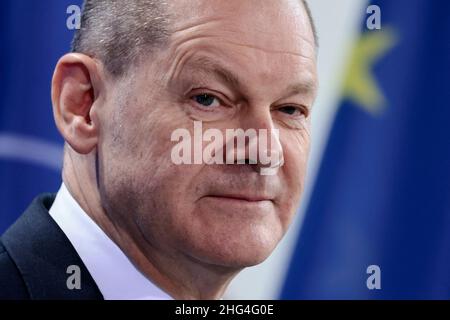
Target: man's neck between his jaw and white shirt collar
{"x":180,"y":275}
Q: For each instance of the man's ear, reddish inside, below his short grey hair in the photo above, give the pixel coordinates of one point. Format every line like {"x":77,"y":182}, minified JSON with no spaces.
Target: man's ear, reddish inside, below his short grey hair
{"x":75,"y":88}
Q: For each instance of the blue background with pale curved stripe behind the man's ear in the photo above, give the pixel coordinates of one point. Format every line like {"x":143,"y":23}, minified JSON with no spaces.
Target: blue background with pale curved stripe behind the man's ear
{"x":33,"y":35}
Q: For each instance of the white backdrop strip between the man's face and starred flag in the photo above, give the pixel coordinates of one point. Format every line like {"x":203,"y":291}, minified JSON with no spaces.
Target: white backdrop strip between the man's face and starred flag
{"x":338,"y":24}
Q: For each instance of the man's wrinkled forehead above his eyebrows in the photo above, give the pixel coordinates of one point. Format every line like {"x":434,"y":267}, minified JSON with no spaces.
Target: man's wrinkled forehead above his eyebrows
{"x":264,"y":39}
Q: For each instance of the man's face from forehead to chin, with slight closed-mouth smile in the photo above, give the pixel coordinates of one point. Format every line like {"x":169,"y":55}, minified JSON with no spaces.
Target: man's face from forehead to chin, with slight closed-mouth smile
{"x":230,"y":64}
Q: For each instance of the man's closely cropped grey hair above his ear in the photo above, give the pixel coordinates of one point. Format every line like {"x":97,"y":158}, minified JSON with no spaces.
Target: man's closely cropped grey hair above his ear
{"x":117,"y":31}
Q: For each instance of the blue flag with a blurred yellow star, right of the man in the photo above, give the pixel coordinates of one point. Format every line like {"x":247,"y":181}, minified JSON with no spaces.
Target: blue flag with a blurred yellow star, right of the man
{"x":378,"y":222}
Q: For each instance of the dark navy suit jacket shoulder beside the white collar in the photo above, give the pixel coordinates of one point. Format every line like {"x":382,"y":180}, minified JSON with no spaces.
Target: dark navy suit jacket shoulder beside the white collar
{"x":35,"y":255}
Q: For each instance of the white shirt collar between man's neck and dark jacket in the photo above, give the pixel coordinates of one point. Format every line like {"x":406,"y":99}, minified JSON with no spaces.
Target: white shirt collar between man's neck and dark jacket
{"x":115,"y":275}
